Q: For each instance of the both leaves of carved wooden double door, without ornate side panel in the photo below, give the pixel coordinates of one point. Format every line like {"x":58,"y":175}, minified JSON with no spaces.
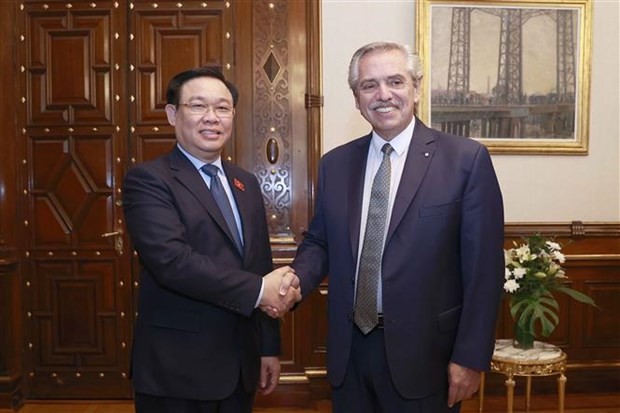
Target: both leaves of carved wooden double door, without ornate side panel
{"x":93,"y":90}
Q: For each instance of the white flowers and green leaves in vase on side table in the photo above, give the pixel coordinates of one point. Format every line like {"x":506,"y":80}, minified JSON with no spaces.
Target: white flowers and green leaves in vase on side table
{"x":533,"y":272}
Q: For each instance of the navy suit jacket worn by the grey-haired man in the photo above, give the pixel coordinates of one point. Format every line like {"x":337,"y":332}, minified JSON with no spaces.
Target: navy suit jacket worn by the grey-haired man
{"x":443,"y":263}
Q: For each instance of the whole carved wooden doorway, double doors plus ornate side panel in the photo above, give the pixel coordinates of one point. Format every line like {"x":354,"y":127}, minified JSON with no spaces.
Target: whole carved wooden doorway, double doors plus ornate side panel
{"x":92,"y":80}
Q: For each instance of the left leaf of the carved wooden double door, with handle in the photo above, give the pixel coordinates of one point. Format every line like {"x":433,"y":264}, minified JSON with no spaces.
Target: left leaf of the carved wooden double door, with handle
{"x":77,"y":298}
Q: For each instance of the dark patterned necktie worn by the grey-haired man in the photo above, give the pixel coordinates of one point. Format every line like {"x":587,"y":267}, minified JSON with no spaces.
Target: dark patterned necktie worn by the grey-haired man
{"x":366,"y":316}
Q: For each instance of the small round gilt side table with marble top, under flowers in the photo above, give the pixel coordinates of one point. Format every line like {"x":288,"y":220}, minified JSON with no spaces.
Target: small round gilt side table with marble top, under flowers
{"x":542,"y":360}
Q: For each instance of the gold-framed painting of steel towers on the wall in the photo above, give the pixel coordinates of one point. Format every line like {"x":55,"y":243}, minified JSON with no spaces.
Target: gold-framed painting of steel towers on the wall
{"x":514,"y":75}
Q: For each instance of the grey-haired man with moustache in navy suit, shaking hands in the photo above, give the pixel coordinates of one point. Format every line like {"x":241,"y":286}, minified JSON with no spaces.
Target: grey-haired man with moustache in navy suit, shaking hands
{"x":409,"y":226}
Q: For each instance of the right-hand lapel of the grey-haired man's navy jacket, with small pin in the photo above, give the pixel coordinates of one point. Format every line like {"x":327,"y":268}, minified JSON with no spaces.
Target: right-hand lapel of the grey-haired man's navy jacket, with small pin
{"x":419,"y":157}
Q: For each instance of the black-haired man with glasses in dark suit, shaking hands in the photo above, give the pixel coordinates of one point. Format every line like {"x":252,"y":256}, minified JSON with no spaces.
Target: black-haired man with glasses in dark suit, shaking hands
{"x":198,"y":224}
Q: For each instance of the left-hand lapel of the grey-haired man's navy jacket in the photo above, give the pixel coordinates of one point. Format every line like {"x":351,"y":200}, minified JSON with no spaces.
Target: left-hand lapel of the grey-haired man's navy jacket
{"x":359,"y":157}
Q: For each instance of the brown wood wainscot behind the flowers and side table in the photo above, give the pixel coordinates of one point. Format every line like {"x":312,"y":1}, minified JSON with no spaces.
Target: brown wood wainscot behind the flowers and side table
{"x":589,"y":336}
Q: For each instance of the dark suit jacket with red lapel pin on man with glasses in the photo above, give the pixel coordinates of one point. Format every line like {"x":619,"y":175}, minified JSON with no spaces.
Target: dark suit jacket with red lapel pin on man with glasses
{"x":197,"y":331}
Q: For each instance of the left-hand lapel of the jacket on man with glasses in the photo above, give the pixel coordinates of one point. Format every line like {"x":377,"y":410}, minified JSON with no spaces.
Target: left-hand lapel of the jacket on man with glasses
{"x":188,"y":176}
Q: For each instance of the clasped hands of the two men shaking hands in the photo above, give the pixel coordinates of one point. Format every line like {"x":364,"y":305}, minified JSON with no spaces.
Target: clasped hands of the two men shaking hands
{"x":281,"y":291}
